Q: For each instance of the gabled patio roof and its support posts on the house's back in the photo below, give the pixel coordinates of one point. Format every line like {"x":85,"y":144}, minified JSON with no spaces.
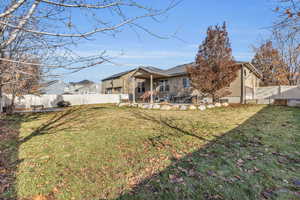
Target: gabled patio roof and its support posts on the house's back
{"x":147,"y":73}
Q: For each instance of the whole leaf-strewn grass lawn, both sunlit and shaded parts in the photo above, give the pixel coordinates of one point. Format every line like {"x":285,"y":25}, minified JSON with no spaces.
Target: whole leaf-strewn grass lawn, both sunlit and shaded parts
{"x":106,"y":152}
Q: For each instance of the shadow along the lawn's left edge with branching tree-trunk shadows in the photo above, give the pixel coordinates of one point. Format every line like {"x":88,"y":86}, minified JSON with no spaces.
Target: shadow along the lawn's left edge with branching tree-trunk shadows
{"x":10,"y":142}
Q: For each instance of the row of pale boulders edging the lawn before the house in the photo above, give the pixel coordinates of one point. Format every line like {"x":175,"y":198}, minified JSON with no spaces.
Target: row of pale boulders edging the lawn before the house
{"x":181,"y":107}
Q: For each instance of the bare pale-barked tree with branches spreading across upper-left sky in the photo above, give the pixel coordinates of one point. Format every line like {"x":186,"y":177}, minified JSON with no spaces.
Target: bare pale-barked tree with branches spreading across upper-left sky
{"x":54,"y":25}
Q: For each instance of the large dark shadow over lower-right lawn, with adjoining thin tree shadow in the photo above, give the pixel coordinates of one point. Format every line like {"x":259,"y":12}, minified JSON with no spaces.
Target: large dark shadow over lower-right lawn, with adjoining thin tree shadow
{"x":257,"y":160}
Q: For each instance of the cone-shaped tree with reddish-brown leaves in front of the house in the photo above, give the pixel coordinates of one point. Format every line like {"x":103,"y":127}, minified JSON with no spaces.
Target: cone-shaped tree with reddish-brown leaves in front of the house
{"x":215,"y":68}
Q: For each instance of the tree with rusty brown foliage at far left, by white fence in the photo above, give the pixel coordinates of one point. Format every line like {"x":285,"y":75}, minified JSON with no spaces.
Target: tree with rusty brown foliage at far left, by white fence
{"x":17,"y":75}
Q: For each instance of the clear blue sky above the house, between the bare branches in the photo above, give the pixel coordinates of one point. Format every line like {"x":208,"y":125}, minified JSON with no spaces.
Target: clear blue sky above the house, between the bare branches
{"x":247,"y":20}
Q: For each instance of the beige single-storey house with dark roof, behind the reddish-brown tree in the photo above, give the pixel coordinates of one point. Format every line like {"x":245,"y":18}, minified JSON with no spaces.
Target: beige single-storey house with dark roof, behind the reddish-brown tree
{"x":174,"y":85}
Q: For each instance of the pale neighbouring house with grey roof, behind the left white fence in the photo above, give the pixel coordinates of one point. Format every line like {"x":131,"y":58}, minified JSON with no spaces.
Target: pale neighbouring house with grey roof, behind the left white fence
{"x":82,"y":87}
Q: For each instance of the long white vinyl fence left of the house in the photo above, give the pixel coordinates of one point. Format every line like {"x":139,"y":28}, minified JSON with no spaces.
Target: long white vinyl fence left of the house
{"x":49,"y":101}
